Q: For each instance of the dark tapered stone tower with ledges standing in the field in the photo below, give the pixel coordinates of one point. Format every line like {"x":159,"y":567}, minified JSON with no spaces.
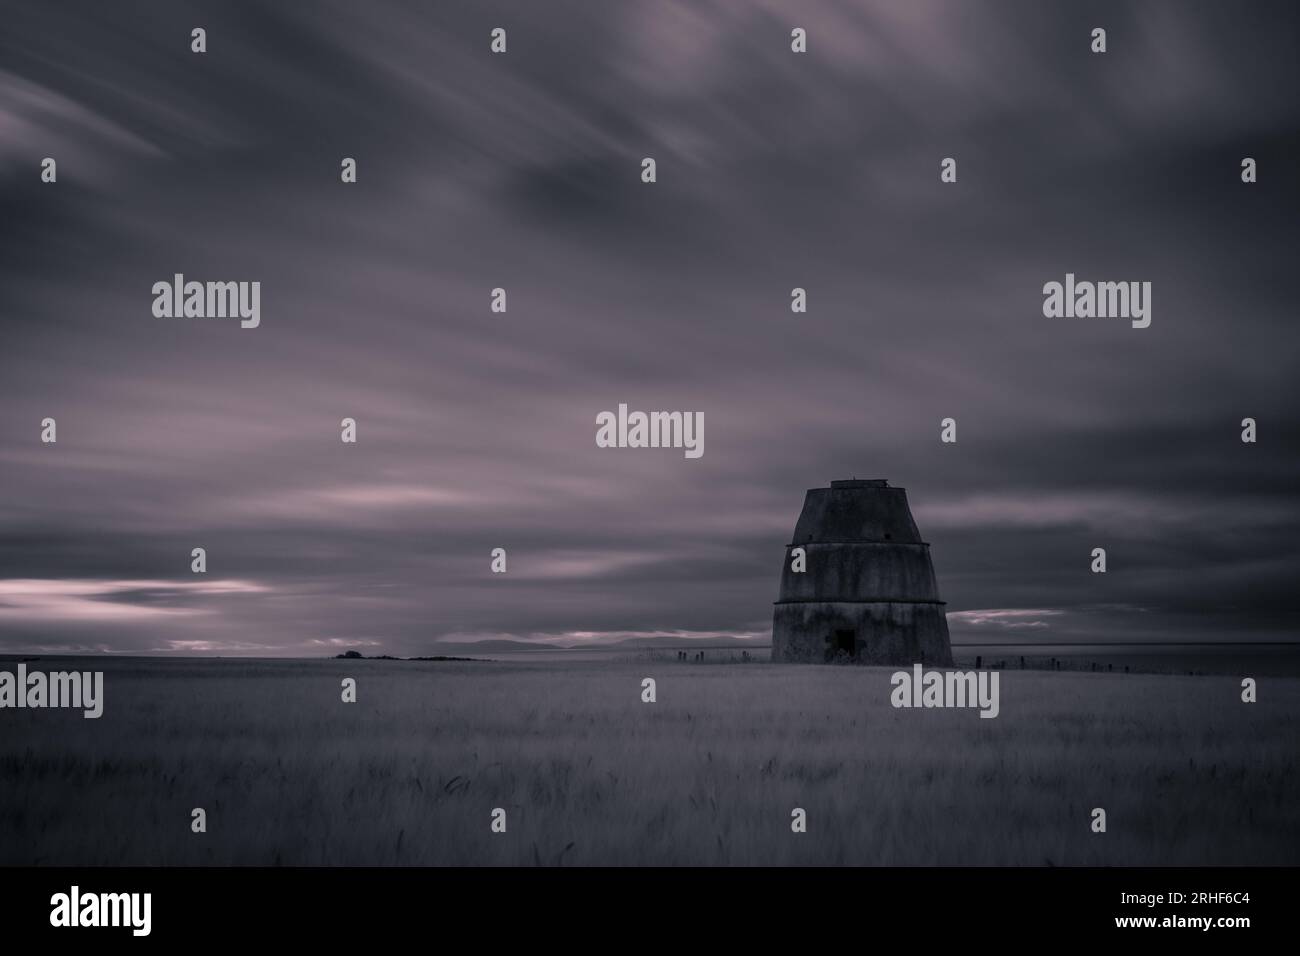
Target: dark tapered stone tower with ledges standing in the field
{"x":869,"y":592}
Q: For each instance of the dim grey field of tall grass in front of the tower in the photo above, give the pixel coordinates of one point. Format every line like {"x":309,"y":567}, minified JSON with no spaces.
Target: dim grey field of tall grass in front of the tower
{"x":590,"y":775}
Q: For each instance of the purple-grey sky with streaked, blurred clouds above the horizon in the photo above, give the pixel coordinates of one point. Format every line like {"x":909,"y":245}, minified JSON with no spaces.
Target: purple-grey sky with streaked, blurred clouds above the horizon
{"x":476,"y":430}
